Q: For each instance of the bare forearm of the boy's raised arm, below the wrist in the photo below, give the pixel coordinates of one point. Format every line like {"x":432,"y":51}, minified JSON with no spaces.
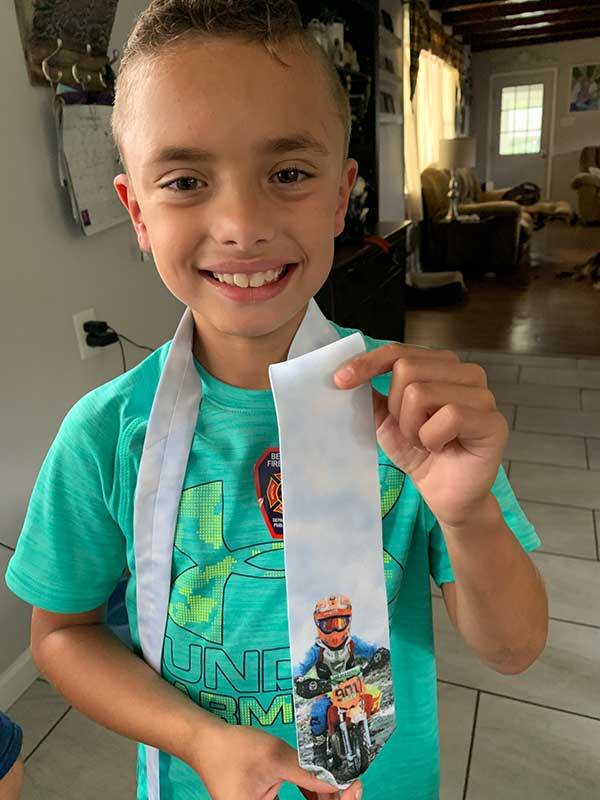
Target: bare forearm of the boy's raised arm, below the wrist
{"x":501,"y":605}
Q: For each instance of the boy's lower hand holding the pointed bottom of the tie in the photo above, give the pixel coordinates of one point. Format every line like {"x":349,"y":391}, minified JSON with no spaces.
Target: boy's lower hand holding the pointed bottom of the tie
{"x":245,"y":762}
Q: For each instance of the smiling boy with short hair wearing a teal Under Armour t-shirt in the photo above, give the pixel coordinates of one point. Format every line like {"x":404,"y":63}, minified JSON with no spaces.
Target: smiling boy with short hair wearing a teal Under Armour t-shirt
{"x":234,"y":136}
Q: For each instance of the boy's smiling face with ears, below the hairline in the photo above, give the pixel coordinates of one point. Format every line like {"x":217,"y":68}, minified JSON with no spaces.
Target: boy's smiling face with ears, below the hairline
{"x":244,"y":201}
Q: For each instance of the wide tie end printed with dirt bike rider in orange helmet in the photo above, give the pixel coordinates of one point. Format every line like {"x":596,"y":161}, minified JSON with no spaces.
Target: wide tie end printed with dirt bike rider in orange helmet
{"x":337,"y":603}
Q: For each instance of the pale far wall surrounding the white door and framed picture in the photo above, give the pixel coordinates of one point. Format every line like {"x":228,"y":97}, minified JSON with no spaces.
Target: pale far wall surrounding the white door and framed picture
{"x":572,"y":132}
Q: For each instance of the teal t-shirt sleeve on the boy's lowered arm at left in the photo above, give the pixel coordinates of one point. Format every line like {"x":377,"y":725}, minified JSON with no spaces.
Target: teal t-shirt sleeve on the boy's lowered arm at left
{"x":71,"y":551}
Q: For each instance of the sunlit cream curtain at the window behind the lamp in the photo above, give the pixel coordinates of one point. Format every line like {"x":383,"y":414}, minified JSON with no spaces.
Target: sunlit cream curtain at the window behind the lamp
{"x":430,"y":115}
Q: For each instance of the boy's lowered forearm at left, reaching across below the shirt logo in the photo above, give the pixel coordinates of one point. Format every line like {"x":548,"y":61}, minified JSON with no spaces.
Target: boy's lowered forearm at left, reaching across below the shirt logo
{"x":106,"y":682}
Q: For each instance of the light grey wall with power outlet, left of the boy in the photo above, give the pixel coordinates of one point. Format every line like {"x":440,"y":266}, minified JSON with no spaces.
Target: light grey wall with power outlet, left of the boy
{"x":50,"y":271}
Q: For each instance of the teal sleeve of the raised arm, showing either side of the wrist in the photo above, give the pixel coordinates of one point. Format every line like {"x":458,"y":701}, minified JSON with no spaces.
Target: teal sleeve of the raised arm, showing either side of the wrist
{"x":439,"y":560}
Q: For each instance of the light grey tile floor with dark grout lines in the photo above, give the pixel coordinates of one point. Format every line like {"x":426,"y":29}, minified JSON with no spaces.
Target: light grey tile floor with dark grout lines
{"x":533,"y":736}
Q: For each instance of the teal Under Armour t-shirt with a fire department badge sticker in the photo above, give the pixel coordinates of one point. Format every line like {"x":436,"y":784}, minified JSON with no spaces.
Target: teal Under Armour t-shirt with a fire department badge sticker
{"x":226,"y":642}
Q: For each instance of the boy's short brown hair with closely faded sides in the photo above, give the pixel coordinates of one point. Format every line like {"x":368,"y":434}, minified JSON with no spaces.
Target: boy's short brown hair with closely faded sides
{"x":165,"y":23}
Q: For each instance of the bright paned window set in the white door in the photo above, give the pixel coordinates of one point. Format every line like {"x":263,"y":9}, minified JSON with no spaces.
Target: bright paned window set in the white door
{"x":521,"y":119}
